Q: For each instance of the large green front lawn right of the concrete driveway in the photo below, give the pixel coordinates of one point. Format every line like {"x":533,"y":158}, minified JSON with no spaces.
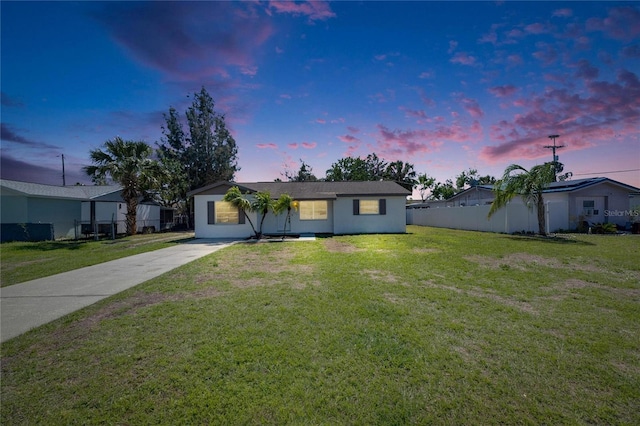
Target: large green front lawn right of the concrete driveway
{"x":436,"y":326}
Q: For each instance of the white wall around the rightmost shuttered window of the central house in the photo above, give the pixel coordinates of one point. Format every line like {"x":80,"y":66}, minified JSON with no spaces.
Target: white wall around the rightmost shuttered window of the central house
{"x":345,"y":222}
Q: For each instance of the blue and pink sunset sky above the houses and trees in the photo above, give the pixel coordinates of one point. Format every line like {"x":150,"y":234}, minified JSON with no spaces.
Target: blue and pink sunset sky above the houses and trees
{"x":445,"y":86}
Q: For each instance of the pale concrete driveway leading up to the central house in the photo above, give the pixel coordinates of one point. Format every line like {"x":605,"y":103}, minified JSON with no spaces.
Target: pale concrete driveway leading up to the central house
{"x":33,"y":303}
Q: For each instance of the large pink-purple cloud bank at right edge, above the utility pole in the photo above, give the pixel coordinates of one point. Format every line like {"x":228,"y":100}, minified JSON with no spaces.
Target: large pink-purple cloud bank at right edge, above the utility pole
{"x":592,"y":117}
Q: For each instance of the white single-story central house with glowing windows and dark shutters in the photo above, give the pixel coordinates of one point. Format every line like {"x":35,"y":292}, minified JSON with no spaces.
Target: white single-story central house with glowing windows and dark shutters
{"x":324,"y":207}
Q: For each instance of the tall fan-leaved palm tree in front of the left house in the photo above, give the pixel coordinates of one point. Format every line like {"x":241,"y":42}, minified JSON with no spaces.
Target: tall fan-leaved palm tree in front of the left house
{"x":129,"y":164}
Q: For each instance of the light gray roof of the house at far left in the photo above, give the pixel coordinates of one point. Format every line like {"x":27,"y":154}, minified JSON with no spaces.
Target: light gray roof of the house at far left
{"x":63,"y":192}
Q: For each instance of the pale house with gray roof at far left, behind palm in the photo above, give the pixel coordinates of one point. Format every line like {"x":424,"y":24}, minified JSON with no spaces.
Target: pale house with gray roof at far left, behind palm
{"x":67,"y":207}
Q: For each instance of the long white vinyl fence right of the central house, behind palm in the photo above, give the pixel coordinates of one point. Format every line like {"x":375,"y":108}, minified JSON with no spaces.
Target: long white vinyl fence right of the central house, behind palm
{"x":514,"y":217}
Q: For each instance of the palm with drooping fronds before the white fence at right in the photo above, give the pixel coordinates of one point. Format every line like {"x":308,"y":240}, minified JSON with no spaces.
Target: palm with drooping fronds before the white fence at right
{"x":529,"y":184}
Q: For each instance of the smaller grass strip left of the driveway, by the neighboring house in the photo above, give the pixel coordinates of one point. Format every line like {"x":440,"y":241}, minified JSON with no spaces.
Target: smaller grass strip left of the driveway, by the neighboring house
{"x":24,"y":261}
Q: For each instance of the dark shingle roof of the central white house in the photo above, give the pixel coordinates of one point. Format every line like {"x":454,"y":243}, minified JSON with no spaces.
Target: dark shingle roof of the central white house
{"x":318,"y":190}
